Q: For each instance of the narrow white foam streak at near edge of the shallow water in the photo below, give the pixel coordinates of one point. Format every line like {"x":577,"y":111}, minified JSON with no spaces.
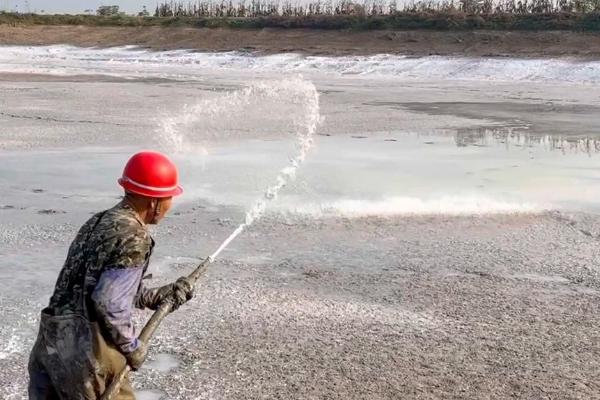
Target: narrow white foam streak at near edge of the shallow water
{"x":446,"y":205}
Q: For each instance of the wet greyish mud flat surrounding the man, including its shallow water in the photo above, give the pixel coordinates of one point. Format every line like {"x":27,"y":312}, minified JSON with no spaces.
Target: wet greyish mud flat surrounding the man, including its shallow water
{"x":426,"y":249}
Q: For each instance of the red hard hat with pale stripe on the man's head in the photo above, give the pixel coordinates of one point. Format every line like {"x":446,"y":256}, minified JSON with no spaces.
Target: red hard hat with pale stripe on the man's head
{"x":151,"y":174}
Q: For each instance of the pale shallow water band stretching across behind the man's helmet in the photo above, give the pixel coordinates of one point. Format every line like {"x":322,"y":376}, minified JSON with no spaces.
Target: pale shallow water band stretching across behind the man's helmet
{"x":395,"y":173}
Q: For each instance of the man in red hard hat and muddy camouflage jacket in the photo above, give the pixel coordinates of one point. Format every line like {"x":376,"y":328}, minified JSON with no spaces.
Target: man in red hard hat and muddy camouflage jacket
{"x":86,"y":333}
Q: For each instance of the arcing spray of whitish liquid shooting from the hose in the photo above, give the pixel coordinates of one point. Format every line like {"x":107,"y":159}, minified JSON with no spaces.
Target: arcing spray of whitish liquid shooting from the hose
{"x":300,"y":93}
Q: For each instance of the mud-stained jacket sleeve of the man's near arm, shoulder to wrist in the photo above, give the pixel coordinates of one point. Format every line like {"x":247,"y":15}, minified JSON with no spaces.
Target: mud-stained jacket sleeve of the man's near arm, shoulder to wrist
{"x":116,"y":290}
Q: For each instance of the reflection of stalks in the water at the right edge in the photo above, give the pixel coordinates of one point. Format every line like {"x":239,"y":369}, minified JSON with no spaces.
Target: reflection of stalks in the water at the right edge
{"x":512,"y":137}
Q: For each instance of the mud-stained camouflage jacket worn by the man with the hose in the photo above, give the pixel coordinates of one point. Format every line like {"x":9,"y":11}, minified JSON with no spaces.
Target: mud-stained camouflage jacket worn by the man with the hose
{"x":101,"y":278}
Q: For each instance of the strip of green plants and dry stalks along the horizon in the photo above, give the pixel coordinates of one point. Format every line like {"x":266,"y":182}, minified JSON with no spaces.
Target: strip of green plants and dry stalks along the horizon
{"x":576,"y":15}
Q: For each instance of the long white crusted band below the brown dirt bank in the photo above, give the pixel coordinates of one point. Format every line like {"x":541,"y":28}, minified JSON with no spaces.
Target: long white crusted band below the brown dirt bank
{"x":133,"y":62}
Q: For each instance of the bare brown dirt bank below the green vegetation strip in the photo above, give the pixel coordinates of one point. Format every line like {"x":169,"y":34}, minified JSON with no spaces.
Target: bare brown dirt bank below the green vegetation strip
{"x":315,"y":42}
